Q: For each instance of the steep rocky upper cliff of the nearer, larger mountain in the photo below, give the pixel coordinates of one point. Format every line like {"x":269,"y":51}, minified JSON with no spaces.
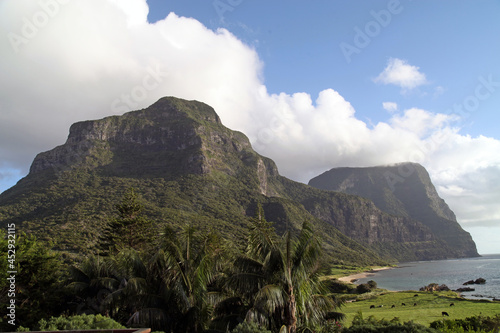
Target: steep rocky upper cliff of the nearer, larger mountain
{"x":170,"y":138}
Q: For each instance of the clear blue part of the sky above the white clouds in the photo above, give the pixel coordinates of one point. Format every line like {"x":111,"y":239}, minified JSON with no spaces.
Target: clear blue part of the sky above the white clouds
{"x":453,"y":43}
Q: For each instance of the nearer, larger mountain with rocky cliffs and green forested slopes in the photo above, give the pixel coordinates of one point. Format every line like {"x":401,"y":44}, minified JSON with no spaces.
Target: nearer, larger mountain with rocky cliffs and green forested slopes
{"x":189,"y":168}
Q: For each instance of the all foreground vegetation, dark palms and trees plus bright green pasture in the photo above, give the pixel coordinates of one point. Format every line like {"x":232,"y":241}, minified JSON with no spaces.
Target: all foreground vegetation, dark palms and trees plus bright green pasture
{"x":192,"y":281}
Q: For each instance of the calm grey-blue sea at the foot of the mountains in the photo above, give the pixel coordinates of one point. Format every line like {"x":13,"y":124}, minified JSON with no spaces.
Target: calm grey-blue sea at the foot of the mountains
{"x":453,"y":273}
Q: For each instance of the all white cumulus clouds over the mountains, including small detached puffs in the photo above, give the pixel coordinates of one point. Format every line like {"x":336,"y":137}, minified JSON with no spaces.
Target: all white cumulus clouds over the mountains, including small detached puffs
{"x":86,"y":59}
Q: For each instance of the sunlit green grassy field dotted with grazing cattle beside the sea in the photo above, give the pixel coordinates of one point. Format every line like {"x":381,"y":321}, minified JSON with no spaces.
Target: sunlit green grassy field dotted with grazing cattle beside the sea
{"x":423,"y":309}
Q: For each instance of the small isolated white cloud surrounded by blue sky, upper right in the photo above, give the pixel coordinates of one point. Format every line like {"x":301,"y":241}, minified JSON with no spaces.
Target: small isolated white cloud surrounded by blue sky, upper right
{"x":400,"y":73}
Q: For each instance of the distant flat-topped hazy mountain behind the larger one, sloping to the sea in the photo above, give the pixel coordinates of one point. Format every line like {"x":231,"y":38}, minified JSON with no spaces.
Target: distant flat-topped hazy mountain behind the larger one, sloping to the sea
{"x":404,"y":190}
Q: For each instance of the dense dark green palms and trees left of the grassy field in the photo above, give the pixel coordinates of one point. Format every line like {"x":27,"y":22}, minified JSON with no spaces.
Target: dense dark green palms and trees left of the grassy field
{"x":188,"y":280}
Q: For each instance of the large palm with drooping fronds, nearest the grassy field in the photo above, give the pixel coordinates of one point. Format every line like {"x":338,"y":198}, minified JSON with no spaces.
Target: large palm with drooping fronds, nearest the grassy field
{"x":280,"y":278}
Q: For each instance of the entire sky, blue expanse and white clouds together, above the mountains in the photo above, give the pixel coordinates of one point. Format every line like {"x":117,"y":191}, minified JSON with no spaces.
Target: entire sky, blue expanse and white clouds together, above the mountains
{"x":314,"y":85}
